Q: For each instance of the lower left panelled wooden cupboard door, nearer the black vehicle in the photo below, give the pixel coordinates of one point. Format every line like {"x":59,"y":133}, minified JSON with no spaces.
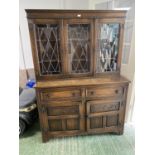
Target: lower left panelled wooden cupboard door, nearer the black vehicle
{"x":65,"y":117}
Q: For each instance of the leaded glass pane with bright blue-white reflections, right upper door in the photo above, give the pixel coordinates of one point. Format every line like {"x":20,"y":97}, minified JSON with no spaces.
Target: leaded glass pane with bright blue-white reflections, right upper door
{"x":107,"y":50}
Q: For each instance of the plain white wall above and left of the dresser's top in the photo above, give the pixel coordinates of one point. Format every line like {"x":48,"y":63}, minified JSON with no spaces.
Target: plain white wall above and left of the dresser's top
{"x":40,"y":4}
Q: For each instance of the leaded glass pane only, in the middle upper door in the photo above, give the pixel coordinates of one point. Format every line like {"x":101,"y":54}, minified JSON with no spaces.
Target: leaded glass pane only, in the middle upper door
{"x":79,"y":48}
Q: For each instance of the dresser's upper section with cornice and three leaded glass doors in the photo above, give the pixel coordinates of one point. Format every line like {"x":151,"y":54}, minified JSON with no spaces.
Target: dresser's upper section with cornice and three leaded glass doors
{"x":82,"y":43}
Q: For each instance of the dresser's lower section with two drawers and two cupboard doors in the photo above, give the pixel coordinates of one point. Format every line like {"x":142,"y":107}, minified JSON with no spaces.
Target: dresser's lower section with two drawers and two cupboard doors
{"x":82,"y":110}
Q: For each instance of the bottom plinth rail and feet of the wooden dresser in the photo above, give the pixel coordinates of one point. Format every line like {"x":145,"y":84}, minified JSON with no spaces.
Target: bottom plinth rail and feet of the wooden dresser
{"x":46,"y":136}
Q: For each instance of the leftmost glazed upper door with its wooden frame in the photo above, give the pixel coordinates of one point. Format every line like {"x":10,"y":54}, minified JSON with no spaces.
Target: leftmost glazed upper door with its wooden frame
{"x":47,"y":53}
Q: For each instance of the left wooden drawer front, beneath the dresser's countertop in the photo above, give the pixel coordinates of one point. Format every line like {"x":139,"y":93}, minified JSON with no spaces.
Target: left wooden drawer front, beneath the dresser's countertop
{"x":60,"y":94}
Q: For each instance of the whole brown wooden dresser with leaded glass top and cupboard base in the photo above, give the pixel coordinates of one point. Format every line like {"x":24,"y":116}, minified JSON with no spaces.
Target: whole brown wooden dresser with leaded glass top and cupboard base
{"x":77,"y":60}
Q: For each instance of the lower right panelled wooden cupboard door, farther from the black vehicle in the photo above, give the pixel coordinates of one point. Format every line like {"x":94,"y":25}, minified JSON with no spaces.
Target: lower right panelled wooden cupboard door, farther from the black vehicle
{"x":103,"y":115}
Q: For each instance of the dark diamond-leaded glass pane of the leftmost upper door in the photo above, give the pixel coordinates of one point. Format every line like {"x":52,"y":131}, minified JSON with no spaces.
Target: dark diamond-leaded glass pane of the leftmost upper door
{"x":48,"y":42}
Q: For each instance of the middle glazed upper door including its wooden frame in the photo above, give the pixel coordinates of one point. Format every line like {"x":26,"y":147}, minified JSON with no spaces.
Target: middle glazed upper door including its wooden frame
{"x":79,"y":46}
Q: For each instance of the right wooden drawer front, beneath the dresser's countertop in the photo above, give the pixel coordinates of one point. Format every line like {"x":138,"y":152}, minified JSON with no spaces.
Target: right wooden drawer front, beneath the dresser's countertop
{"x":105,"y":92}
